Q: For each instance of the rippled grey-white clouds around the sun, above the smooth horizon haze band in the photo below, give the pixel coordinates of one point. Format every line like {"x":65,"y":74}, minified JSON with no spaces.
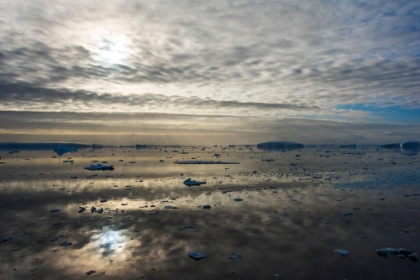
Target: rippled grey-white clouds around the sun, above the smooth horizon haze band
{"x":295,"y":59}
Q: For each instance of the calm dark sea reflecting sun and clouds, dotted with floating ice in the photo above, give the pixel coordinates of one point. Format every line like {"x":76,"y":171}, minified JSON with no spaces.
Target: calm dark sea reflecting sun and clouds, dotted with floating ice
{"x":274,"y":228}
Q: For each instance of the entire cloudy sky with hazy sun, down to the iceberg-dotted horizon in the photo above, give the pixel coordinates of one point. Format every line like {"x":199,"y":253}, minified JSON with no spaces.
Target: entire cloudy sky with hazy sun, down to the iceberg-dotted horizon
{"x":210,"y":72}
